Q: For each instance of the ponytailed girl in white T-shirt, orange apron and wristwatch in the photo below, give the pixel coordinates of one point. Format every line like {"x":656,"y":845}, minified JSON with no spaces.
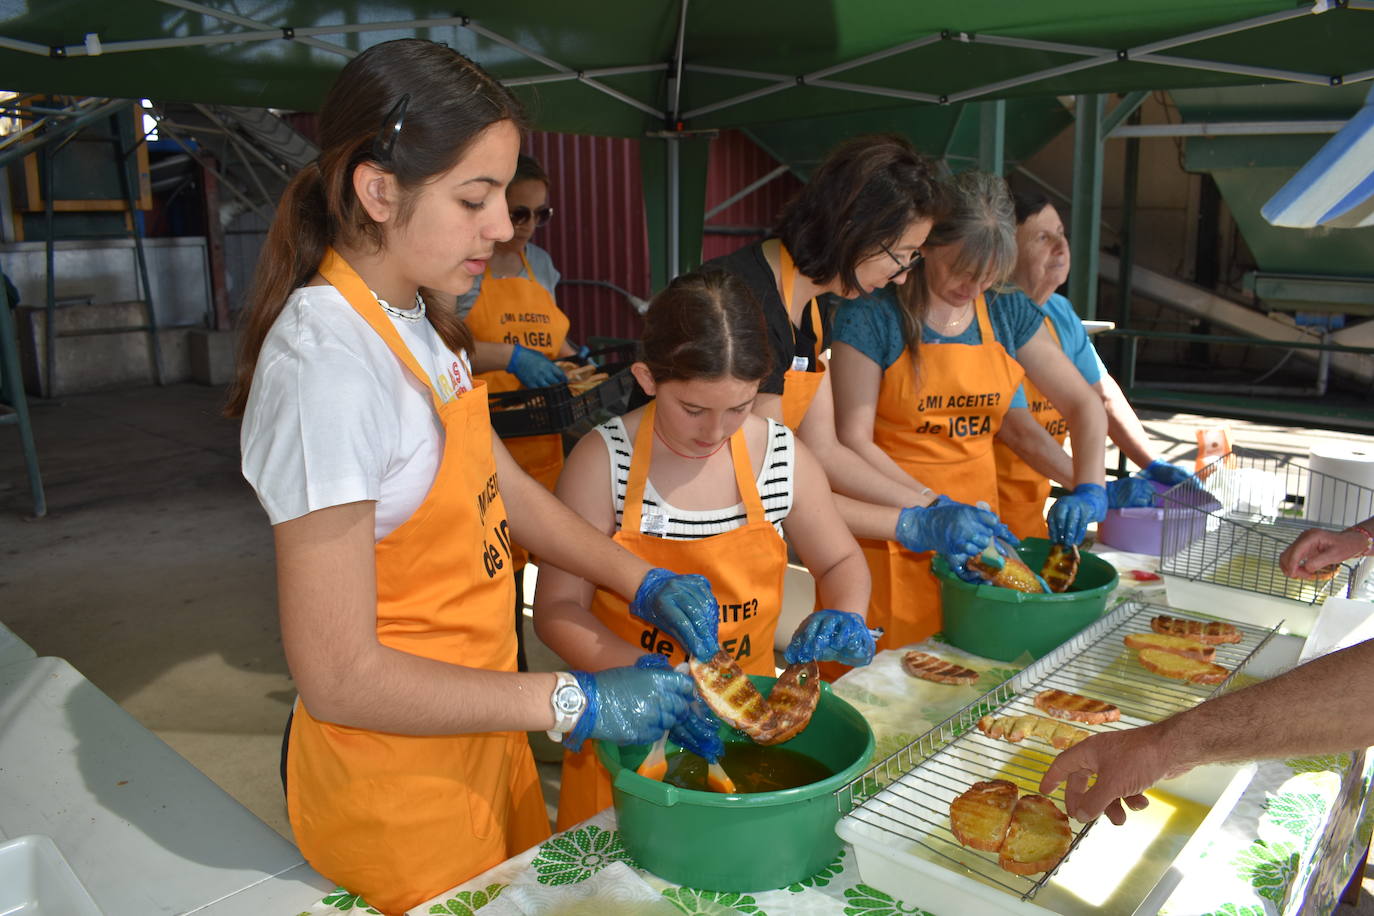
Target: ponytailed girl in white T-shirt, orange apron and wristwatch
{"x":407,"y":770}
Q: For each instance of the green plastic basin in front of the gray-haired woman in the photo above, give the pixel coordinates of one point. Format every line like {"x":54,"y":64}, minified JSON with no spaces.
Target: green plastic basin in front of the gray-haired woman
{"x":1004,"y":624}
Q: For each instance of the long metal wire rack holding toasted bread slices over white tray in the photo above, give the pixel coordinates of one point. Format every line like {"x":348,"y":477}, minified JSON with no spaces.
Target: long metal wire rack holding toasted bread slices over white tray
{"x":908,"y":796}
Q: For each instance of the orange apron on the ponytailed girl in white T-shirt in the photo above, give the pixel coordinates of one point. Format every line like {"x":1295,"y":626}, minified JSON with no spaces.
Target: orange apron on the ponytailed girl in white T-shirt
{"x":399,"y":818}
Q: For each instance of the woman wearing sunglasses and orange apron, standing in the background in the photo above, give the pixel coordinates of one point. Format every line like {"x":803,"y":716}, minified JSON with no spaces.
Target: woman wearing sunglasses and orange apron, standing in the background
{"x":520,"y":332}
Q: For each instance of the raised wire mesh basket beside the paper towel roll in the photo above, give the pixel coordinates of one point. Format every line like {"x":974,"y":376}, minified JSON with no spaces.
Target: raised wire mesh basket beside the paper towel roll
{"x":1229,"y":524}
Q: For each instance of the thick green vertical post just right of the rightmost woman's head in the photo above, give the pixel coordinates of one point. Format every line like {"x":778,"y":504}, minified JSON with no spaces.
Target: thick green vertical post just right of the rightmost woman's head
{"x":1086,"y":237}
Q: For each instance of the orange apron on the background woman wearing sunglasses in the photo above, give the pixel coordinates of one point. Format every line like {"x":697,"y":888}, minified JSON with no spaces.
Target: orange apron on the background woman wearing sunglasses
{"x":516,"y":310}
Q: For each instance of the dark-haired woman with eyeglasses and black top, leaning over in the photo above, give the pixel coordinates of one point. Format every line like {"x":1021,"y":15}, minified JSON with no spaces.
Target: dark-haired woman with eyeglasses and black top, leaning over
{"x":854,"y":229}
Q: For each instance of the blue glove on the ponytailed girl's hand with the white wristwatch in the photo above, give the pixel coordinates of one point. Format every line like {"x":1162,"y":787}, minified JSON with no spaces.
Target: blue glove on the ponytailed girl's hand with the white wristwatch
{"x":630,"y":705}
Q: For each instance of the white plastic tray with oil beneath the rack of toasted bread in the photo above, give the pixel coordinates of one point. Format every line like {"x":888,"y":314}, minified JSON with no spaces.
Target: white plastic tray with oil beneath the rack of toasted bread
{"x":902,"y":841}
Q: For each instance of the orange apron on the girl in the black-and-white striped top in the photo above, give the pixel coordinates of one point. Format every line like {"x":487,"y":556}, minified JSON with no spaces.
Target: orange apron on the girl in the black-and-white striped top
{"x":745,"y":568}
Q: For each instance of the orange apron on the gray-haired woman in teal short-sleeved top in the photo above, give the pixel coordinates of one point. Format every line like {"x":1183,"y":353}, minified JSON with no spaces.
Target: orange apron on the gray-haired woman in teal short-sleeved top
{"x":941,"y":431}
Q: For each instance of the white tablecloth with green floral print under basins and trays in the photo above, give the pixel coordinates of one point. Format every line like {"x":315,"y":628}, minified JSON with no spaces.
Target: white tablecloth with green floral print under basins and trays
{"x":1289,"y":845}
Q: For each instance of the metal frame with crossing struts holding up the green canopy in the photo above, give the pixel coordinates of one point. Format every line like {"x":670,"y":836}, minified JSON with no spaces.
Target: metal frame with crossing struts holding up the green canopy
{"x":681,"y":248}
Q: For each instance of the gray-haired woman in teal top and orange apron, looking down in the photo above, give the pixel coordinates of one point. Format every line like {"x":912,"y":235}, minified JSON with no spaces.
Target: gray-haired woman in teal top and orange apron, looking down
{"x":924,"y":376}
